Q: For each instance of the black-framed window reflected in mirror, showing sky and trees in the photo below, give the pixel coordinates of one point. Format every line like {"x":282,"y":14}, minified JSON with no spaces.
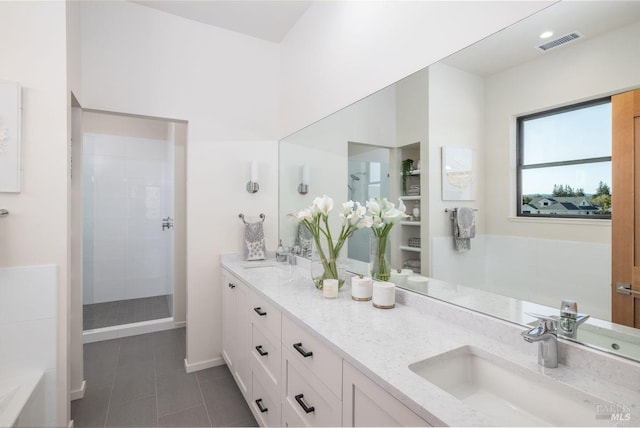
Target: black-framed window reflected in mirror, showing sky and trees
{"x":564,"y":162}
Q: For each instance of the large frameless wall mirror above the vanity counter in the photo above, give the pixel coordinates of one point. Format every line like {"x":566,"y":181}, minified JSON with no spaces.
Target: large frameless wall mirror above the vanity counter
{"x":470,"y":103}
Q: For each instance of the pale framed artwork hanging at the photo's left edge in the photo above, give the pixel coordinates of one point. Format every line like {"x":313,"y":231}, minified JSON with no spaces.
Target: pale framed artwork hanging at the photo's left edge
{"x":9,"y":137}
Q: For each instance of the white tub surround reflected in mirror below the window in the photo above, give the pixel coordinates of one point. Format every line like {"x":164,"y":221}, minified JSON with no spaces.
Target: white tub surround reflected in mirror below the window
{"x":542,"y":270}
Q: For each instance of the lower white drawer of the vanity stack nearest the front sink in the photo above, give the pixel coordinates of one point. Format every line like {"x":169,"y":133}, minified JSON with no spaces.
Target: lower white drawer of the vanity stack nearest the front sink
{"x":306,"y":398}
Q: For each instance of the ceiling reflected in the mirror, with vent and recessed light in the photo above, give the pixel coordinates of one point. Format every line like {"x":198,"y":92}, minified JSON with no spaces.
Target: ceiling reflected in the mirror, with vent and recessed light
{"x":517,"y":44}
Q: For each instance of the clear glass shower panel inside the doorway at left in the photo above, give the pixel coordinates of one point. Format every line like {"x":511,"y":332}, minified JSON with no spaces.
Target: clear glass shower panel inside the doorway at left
{"x":128,"y":185}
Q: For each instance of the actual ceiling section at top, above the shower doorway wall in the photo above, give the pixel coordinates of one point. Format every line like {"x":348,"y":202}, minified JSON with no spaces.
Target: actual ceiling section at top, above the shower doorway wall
{"x":267,"y":20}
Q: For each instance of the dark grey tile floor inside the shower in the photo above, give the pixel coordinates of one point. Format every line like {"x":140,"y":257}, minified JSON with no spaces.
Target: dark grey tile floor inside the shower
{"x":97,"y":315}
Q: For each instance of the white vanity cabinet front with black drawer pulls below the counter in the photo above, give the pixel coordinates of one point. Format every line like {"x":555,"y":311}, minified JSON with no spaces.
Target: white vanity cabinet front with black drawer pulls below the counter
{"x":290,"y":377}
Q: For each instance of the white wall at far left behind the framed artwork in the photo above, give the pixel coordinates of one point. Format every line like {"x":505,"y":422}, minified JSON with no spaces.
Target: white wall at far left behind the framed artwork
{"x":33,"y":46}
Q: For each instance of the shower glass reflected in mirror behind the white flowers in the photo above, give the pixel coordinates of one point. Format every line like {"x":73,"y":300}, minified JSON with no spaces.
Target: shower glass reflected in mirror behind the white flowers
{"x":368,"y":178}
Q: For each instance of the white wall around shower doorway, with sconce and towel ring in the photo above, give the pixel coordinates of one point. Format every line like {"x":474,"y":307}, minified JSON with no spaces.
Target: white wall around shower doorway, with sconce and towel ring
{"x":142,"y":61}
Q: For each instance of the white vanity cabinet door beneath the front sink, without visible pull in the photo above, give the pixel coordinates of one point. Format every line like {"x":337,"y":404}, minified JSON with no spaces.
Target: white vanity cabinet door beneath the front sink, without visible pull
{"x":365,"y":404}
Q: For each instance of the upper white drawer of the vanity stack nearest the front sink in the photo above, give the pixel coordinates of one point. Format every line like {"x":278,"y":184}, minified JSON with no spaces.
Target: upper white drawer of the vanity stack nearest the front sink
{"x":313,"y":355}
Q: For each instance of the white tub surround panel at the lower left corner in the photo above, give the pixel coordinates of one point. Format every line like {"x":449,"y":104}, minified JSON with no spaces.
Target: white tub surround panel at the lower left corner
{"x":28,"y":302}
